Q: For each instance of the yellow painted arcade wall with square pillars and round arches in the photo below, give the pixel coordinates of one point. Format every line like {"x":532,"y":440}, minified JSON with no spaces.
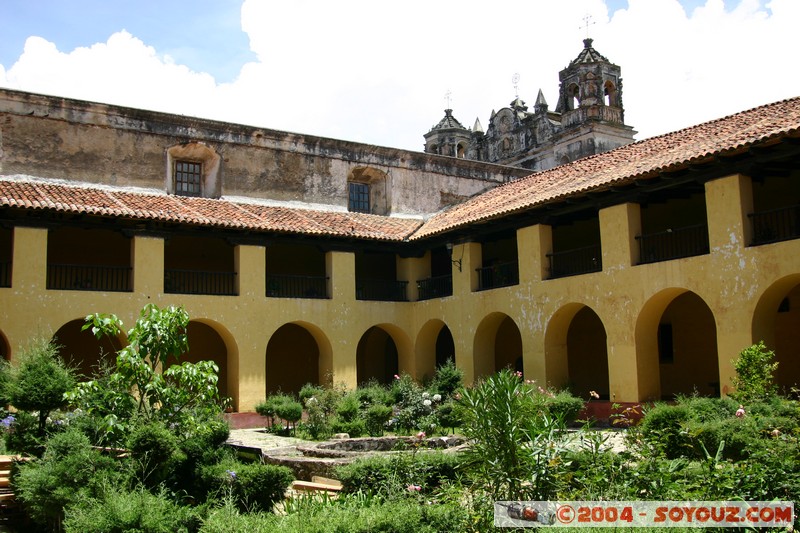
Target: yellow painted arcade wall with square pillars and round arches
{"x":736,"y":282}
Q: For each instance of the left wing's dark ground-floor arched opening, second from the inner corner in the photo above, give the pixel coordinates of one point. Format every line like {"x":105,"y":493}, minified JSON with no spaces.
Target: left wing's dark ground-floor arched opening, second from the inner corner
{"x":293,"y":359}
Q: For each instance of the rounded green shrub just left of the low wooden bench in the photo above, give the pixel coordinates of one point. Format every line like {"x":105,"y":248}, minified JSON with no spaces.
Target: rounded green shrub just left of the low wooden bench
{"x":253,"y":486}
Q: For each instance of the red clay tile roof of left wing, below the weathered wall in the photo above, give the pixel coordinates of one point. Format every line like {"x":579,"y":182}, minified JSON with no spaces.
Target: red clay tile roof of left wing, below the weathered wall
{"x":42,"y":195}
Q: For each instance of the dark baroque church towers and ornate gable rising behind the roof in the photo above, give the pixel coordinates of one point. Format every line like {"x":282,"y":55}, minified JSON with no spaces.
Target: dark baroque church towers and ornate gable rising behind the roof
{"x":588,"y":119}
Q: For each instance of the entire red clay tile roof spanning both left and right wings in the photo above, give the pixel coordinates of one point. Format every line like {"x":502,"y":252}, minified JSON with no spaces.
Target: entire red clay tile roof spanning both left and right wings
{"x":640,"y":160}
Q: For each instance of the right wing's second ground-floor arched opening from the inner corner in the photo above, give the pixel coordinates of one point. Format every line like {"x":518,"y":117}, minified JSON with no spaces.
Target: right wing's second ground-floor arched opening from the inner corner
{"x":497,"y":345}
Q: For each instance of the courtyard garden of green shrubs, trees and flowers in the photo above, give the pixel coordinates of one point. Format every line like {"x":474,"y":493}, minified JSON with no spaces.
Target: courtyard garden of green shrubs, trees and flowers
{"x":141,"y":445}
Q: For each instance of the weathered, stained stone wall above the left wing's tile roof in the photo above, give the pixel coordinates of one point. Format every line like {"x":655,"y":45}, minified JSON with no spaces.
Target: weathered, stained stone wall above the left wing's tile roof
{"x":67,"y":139}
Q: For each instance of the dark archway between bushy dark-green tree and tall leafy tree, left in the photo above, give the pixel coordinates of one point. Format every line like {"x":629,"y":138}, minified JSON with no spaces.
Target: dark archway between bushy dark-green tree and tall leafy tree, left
{"x":83,"y":351}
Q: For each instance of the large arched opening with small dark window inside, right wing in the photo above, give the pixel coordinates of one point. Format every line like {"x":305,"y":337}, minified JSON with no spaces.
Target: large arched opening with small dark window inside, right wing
{"x":676,"y":344}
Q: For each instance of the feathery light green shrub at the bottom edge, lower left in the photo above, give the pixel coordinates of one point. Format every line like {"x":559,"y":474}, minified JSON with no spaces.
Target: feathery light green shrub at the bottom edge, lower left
{"x":136,"y":510}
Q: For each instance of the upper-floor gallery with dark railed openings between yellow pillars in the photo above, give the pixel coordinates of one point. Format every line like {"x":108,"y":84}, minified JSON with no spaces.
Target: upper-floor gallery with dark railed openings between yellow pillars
{"x":669,"y":222}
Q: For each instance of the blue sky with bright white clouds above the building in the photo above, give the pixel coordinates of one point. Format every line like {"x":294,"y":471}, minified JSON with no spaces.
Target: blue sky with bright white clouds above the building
{"x":379,"y":72}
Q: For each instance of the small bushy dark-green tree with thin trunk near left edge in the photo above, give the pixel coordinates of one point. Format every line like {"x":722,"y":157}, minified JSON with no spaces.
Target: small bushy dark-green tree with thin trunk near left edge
{"x":39,"y":382}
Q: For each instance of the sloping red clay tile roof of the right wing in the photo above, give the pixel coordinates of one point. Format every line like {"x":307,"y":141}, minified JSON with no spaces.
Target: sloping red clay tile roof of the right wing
{"x":640,"y":160}
